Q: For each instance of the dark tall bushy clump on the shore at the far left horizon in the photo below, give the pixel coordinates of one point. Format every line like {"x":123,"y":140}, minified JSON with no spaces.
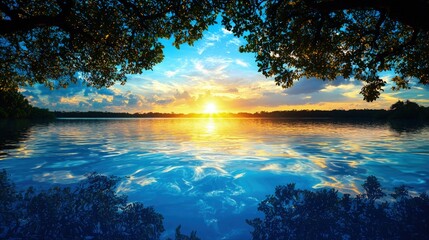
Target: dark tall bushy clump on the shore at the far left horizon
{"x":14,"y":105}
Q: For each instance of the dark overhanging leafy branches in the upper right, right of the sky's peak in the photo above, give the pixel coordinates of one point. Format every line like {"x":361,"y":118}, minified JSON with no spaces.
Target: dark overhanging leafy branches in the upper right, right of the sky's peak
{"x":331,"y":38}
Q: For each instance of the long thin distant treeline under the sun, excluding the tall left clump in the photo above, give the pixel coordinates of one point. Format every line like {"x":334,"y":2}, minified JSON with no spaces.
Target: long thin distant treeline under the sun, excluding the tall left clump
{"x":399,"y":110}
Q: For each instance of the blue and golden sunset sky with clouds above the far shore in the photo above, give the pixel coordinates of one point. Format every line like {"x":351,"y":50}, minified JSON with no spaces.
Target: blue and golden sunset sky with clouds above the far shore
{"x":213,"y":74}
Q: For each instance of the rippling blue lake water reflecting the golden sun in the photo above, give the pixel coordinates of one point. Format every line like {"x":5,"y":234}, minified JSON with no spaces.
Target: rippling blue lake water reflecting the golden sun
{"x":210,"y":174}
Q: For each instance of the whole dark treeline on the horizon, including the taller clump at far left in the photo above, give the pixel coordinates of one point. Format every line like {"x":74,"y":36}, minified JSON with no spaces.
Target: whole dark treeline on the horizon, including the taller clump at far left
{"x":13,"y":105}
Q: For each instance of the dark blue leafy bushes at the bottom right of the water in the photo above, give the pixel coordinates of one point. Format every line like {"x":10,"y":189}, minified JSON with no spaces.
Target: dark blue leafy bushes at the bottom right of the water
{"x":302,"y":214}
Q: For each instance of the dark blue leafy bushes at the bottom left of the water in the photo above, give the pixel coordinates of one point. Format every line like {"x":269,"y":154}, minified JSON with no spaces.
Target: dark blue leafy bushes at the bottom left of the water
{"x":90,"y":210}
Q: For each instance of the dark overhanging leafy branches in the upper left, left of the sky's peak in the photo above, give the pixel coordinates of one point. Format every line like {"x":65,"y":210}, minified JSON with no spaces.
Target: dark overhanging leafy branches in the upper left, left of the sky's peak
{"x":57,"y":42}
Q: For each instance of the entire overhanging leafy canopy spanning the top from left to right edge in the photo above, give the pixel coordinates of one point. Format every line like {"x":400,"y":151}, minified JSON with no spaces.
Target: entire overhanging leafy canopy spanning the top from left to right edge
{"x":56,"y":42}
